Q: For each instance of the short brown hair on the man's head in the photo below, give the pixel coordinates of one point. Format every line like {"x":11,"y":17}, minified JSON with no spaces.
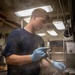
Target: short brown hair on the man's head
{"x":39,"y":12}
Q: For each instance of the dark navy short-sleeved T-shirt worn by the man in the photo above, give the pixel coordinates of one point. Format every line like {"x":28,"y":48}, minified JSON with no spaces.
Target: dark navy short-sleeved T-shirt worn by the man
{"x":21,"y":42}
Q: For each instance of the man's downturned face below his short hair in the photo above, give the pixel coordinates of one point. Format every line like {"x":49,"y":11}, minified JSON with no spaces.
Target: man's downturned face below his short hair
{"x":39,"y":23}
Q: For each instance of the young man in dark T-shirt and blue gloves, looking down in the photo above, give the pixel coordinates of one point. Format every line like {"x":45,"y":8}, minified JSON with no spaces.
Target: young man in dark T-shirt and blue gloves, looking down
{"x":21,"y":52}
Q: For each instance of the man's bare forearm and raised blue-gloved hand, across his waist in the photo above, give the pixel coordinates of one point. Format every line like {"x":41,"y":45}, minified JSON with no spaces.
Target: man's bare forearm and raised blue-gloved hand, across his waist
{"x":37,"y":54}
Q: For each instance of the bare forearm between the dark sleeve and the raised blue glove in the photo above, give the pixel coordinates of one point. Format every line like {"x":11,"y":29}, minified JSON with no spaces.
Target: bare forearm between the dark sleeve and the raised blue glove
{"x":18,"y":59}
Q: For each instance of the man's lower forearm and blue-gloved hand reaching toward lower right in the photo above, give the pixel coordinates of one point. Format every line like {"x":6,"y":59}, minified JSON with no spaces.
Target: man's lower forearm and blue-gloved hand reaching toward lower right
{"x":57,"y":65}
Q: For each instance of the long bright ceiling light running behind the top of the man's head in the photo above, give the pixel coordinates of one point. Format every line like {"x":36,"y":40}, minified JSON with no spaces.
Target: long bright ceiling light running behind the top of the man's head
{"x":28,"y":12}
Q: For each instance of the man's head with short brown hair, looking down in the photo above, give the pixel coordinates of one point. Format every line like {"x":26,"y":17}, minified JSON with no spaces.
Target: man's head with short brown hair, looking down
{"x":39,"y":17}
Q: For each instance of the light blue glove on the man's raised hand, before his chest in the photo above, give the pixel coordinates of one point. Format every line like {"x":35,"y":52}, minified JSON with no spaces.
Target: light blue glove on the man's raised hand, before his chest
{"x":39,"y":53}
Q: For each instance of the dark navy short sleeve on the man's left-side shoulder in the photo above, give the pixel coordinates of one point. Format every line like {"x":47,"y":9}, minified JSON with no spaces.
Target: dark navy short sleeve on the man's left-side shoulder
{"x":12,"y":44}
